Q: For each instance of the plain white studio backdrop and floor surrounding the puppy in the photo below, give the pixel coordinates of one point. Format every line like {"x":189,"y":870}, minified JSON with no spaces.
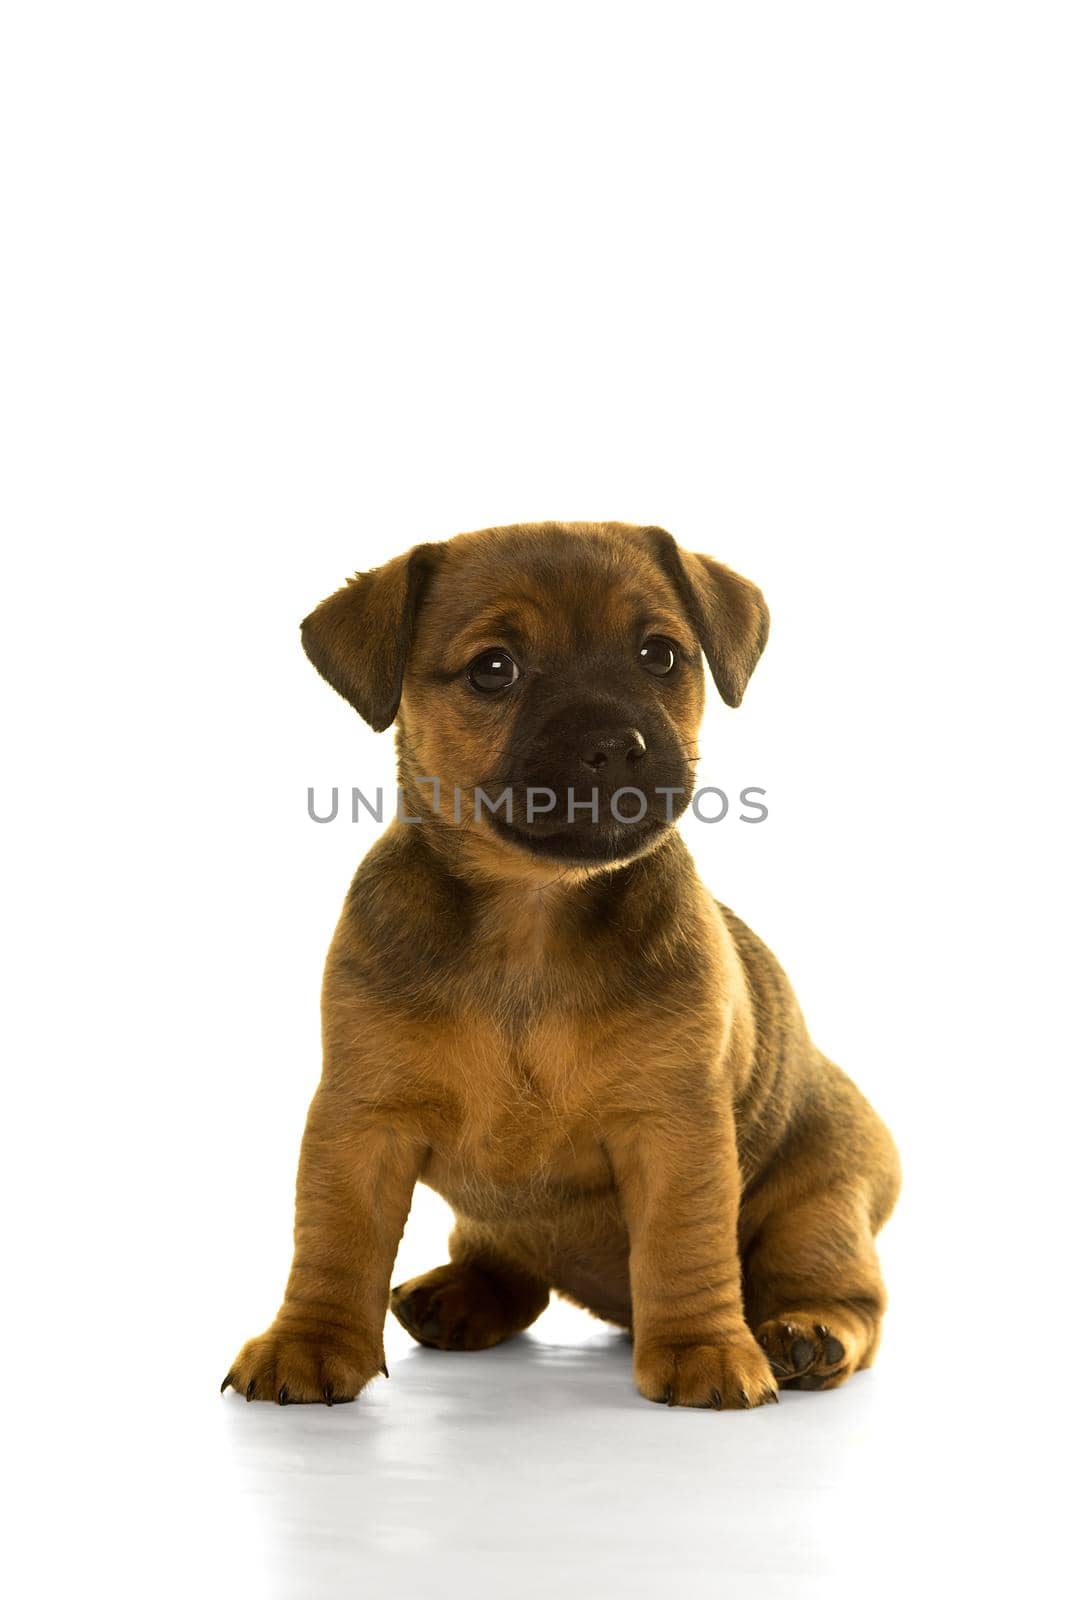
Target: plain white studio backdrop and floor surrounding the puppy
{"x":293,"y":287}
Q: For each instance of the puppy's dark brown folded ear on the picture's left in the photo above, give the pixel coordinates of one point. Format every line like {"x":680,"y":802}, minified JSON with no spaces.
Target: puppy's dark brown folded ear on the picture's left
{"x":361,"y":638}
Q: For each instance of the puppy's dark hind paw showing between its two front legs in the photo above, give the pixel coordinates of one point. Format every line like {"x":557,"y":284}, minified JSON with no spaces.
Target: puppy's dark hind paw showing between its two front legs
{"x":471,"y":1303}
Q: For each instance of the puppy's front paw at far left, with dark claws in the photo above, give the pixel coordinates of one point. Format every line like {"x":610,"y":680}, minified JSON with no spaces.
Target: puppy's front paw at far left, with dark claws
{"x":300,"y":1367}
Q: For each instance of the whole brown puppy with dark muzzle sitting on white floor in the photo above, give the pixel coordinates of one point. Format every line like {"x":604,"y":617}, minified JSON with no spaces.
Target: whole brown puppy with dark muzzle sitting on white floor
{"x":549,"y":1020}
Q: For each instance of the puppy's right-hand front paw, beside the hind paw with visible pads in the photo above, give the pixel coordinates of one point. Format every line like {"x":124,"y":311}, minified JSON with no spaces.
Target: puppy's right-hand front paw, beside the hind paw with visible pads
{"x":728,"y":1375}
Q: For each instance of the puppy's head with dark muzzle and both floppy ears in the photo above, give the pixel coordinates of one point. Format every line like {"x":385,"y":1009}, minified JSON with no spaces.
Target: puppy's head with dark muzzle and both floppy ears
{"x":548,"y":676}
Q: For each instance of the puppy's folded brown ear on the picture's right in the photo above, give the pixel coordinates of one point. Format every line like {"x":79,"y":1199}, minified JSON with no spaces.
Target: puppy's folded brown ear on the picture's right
{"x":728,"y":614}
